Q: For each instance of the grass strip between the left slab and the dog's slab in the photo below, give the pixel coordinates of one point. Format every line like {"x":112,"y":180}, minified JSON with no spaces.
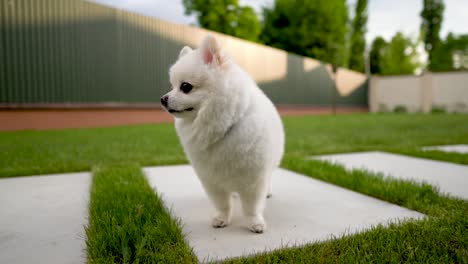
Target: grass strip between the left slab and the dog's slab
{"x":128,"y":222}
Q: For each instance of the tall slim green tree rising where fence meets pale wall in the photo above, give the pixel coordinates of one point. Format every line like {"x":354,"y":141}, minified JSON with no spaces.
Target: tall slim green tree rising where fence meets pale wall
{"x":358,"y":42}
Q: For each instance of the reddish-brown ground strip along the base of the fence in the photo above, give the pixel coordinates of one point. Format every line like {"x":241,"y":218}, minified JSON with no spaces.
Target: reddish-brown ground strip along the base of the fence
{"x":42,"y":119}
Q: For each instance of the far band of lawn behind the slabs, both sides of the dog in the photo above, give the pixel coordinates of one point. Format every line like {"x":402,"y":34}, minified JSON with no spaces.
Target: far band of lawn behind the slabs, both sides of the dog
{"x":40,"y":152}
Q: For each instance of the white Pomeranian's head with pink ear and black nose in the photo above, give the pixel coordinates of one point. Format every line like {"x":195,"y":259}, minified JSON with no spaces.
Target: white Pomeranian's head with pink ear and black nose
{"x":195,"y":78}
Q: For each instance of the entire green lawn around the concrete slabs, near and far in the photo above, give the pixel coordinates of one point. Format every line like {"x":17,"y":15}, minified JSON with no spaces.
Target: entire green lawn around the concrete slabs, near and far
{"x":129,"y":224}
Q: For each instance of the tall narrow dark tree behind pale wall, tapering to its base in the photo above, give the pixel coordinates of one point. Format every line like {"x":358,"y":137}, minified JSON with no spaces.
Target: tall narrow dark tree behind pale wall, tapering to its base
{"x":431,"y":15}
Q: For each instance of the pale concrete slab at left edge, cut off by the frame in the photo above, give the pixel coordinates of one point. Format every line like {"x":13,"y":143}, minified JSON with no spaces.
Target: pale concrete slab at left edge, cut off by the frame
{"x":42,"y":218}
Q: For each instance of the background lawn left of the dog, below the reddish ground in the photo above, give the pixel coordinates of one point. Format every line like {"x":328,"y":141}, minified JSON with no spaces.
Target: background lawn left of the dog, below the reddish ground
{"x":55,"y":151}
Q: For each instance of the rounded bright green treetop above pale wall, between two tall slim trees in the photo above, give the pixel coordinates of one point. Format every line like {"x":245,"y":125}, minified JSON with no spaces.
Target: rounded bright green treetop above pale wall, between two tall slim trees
{"x":397,"y":57}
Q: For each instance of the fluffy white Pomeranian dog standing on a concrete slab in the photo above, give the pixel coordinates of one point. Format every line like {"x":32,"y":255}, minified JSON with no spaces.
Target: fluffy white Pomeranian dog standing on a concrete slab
{"x":230,"y":131}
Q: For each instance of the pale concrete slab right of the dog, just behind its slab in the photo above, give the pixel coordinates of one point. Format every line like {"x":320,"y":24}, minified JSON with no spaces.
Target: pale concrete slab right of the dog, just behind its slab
{"x":451,"y":178}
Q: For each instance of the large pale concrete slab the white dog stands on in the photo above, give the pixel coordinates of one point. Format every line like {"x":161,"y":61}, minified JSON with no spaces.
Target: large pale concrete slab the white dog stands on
{"x":302,"y":210}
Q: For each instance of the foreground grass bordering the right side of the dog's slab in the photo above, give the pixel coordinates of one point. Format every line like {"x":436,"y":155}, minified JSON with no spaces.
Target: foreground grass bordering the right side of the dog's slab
{"x":441,"y":238}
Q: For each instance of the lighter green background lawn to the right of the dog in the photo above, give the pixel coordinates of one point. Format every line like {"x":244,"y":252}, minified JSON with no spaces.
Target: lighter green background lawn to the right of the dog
{"x":364,"y":132}
